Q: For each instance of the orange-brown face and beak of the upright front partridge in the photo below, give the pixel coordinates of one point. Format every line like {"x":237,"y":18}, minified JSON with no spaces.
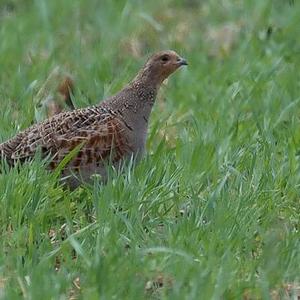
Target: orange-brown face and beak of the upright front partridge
{"x":163,"y":64}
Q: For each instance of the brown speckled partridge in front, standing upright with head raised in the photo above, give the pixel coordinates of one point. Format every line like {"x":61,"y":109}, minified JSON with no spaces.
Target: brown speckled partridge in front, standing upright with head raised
{"x":99,"y":135}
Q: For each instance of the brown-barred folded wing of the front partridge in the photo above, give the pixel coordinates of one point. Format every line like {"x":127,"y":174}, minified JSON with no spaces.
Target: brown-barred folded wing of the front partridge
{"x":97,"y":132}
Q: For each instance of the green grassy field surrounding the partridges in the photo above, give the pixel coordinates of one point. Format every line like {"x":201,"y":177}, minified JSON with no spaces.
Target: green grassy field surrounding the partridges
{"x":213,"y":210}
